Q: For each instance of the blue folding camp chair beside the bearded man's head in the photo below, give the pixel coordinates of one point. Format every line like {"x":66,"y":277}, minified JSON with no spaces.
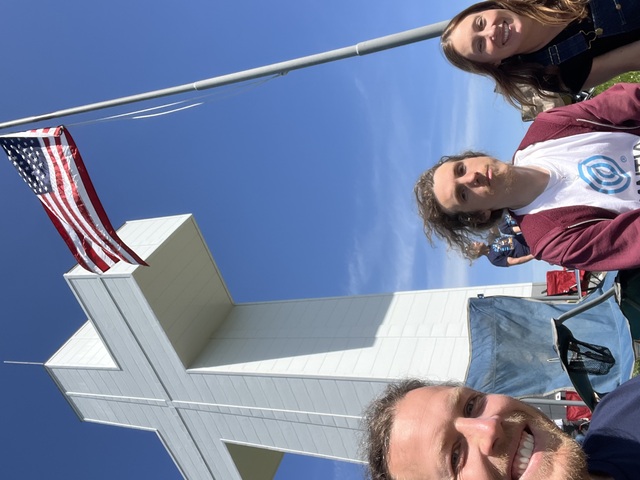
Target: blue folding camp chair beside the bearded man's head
{"x":515,"y":351}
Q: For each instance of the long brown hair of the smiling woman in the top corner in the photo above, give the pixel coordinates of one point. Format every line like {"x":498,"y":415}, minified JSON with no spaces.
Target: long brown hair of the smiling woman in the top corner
{"x":513,"y":73}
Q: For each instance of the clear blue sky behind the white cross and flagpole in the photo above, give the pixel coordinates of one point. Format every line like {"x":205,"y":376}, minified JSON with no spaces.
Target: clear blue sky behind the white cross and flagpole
{"x":302,"y":186}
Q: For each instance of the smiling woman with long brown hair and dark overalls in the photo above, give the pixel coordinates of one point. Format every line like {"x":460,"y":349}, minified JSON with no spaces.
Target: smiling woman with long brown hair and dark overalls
{"x":560,"y":46}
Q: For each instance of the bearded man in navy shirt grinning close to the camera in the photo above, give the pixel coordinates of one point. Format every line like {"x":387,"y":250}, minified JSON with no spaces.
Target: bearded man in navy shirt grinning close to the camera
{"x":422,"y":431}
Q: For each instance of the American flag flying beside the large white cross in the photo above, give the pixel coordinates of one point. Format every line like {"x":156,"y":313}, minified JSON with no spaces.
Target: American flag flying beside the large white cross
{"x":50,"y":163}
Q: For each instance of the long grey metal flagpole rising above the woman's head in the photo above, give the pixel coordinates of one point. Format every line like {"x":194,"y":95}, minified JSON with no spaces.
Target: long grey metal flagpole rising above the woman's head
{"x":360,"y":49}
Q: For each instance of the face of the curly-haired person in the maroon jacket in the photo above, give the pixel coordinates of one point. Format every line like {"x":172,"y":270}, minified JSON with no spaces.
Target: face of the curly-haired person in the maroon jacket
{"x":476,"y":184}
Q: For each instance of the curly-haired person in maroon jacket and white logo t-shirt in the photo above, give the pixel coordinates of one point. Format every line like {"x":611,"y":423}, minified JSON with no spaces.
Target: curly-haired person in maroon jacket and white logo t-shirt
{"x":573,"y":187}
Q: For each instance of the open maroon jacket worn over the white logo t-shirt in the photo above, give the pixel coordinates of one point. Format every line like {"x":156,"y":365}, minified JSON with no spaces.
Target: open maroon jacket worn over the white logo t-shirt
{"x":583,"y":237}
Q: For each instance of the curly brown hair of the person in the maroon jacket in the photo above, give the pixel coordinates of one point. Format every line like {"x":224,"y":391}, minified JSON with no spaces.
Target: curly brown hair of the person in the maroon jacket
{"x":458,"y":230}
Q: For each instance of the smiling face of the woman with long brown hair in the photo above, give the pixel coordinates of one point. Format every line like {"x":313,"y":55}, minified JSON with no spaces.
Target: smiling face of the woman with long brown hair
{"x":489,"y":36}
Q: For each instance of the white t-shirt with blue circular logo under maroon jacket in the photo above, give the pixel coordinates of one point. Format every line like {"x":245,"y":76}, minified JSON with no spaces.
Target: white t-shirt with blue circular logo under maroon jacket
{"x":596,"y":169}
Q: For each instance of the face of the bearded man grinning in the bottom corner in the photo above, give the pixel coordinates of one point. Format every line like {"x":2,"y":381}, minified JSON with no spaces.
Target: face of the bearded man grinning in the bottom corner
{"x":458,"y":433}
